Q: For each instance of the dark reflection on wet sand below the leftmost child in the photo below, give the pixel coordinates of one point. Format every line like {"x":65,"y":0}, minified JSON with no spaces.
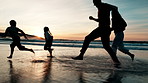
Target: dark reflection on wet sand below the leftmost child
{"x":13,"y":77}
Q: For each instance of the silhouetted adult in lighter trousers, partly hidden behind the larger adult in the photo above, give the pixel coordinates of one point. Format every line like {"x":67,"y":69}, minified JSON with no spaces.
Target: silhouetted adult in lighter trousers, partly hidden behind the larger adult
{"x":119,"y":25}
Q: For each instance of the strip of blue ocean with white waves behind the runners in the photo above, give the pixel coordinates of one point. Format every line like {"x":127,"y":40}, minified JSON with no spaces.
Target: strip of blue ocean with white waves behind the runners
{"x":131,"y":45}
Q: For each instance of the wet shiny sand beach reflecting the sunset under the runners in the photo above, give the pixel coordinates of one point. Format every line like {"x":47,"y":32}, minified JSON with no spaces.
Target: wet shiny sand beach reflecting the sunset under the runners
{"x":97,"y":66}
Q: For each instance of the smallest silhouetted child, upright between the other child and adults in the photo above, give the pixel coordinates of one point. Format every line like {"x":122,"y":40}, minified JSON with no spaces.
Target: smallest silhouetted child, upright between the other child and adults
{"x":48,"y":39}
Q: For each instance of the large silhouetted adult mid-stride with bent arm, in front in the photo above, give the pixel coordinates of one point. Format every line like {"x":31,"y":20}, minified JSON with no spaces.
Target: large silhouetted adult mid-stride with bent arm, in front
{"x":102,"y":31}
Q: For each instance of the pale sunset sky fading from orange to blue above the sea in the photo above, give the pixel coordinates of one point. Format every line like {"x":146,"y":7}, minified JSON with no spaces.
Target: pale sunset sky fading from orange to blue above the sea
{"x":68,"y":19}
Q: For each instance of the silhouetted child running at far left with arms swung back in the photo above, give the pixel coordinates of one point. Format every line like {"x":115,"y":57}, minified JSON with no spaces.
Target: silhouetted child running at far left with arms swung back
{"x":12,"y":31}
